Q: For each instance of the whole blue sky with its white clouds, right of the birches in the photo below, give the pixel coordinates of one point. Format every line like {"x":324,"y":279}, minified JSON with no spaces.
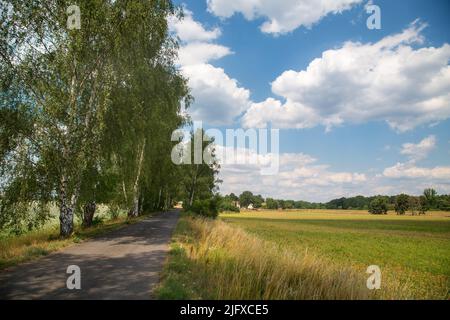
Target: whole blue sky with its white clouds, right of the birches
{"x":399,"y":142}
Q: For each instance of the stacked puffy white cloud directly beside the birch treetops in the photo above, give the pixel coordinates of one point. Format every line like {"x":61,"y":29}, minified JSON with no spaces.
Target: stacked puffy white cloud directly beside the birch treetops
{"x":219,"y":99}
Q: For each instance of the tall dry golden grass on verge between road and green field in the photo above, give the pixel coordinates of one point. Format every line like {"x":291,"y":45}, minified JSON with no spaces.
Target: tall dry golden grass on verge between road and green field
{"x":225,"y":262}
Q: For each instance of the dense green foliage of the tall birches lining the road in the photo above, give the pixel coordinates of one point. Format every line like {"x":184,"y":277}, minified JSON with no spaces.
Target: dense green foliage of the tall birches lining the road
{"x":86,"y":115}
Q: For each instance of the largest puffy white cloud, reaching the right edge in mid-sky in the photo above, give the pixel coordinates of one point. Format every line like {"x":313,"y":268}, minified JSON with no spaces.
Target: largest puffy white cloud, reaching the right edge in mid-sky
{"x":385,"y":81}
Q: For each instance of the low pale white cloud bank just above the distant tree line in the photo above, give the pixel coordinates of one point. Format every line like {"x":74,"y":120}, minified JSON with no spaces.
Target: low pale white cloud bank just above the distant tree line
{"x":303,"y":177}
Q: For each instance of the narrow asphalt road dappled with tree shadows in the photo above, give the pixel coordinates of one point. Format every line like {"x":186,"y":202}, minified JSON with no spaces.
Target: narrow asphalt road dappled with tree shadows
{"x":123,"y":264}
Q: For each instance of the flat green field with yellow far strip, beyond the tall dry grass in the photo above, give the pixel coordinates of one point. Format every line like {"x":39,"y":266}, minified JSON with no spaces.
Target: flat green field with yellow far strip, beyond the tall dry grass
{"x":412,"y":251}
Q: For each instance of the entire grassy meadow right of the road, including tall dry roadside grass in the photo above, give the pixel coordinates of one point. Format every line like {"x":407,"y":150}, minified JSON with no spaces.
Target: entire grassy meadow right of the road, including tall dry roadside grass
{"x":309,"y":254}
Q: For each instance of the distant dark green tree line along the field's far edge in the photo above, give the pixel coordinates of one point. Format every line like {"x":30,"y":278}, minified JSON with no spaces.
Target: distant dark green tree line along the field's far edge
{"x":402,"y":203}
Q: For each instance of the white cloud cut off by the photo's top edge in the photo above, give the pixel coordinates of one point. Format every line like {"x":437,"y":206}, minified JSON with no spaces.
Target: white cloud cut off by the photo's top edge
{"x":282,"y":15}
